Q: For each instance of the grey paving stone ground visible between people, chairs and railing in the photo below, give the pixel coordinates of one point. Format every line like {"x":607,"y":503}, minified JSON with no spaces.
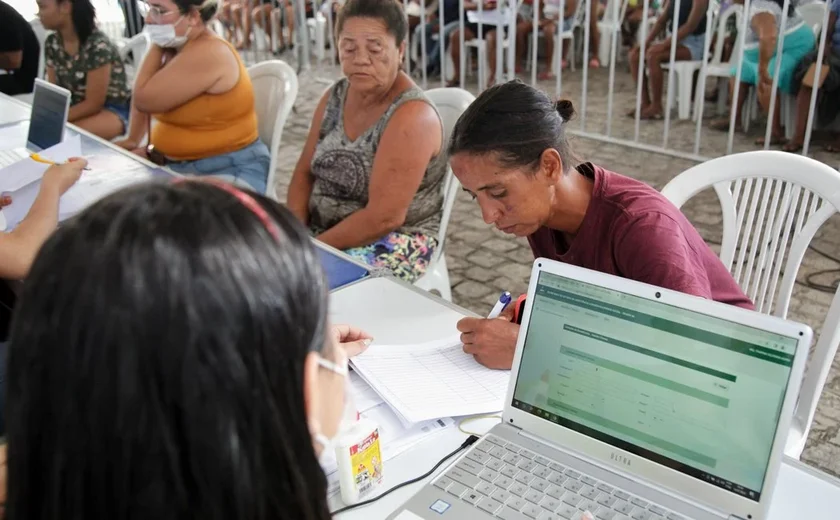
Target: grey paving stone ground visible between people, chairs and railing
{"x":482,"y":261}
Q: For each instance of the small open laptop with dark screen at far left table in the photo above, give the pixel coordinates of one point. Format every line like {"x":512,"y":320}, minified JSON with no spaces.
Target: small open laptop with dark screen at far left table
{"x":50,"y":107}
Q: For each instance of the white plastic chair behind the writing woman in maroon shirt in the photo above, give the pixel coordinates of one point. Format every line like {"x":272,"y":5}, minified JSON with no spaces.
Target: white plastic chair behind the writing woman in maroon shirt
{"x":773,"y":203}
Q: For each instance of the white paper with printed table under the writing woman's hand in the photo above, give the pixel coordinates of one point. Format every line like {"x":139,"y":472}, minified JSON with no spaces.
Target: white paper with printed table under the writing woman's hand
{"x":431,"y":380}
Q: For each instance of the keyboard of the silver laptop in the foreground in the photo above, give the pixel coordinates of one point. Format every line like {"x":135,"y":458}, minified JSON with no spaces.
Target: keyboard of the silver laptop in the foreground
{"x":514,"y":483}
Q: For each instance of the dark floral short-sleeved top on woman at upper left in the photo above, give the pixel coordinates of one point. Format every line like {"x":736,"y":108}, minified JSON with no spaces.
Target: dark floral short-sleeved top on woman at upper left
{"x":71,"y":71}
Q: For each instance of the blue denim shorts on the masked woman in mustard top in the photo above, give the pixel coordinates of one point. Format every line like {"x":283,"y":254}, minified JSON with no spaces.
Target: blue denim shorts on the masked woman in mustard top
{"x":249,"y":164}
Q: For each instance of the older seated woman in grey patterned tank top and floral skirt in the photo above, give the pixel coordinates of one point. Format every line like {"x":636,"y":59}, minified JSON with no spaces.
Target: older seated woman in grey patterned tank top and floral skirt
{"x":370,"y":177}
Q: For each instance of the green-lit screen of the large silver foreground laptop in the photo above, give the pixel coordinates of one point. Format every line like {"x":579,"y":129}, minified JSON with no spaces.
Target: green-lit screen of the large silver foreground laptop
{"x":696,"y":393}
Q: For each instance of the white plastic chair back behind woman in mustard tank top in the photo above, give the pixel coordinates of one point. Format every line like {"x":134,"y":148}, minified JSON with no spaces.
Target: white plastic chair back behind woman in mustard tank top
{"x":275,"y":89}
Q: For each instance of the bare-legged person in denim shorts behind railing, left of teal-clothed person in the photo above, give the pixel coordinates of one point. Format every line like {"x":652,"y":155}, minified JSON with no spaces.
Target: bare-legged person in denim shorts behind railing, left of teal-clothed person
{"x":691,"y":41}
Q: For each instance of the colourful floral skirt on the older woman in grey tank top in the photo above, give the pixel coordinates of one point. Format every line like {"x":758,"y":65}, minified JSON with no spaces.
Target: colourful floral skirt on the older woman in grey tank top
{"x":405,"y":255}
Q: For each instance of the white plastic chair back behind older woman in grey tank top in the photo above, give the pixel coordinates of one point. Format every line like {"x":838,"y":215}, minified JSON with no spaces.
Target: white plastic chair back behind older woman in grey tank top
{"x":450,"y":103}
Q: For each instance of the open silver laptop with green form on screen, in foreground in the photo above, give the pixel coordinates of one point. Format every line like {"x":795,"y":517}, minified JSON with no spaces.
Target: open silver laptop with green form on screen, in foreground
{"x":631,"y":402}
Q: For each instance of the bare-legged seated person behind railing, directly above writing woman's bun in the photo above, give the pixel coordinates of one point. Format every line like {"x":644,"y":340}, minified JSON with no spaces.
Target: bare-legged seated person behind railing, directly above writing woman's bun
{"x":548,"y":24}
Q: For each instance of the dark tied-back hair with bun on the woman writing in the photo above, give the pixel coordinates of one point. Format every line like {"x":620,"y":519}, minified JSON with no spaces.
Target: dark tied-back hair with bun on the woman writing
{"x":517,"y":123}
